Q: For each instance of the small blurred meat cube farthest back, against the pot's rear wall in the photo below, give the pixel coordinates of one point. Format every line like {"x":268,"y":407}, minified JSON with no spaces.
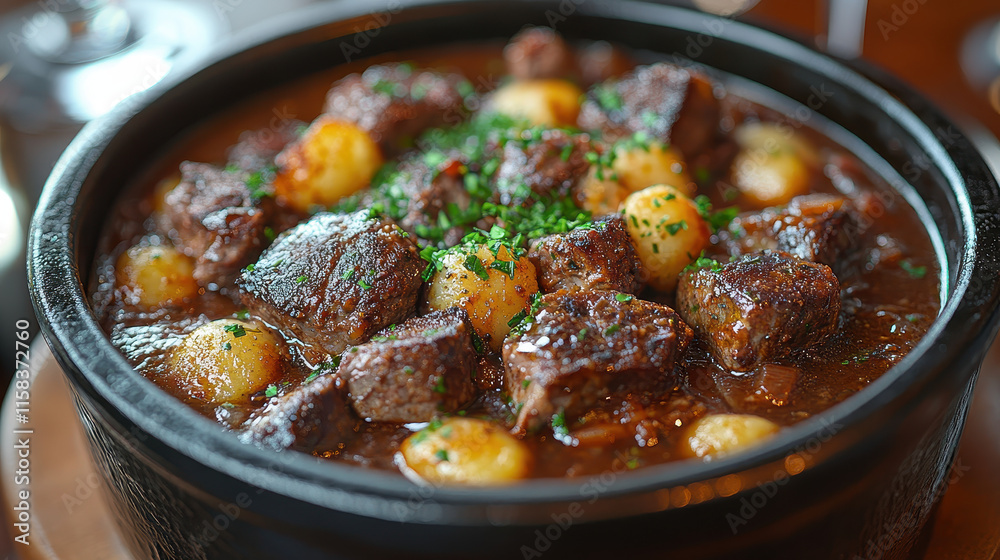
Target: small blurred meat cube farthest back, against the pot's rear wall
{"x":538,"y":53}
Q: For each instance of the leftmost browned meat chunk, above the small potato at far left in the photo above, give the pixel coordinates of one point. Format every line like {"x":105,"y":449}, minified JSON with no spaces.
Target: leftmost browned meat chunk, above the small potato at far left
{"x":219,"y":218}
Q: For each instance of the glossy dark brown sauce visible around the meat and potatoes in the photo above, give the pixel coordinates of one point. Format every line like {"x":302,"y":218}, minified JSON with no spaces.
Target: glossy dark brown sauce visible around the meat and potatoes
{"x":886,"y":309}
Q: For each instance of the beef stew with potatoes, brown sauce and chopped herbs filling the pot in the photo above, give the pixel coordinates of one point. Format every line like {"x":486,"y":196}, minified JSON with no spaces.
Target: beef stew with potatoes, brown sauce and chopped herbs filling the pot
{"x":477,"y":280}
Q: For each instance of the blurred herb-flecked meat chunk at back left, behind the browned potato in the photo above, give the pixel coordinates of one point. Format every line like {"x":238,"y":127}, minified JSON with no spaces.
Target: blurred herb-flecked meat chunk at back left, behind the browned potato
{"x":395,"y":103}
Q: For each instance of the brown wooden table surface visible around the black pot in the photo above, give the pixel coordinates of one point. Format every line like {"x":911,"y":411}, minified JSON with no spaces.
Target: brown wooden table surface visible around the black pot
{"x":918,"y":40}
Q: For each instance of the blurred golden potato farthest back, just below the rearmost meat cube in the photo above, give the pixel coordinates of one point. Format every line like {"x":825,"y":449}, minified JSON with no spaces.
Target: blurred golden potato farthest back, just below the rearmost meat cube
{"x":542,"y":102}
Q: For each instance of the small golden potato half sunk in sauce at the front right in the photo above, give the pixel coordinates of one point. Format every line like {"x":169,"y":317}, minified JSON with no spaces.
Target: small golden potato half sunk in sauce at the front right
{"x":719,"y":434}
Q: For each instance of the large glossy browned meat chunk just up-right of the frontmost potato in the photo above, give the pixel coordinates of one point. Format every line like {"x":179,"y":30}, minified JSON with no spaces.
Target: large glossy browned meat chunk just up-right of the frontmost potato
{"x":585,"y":346}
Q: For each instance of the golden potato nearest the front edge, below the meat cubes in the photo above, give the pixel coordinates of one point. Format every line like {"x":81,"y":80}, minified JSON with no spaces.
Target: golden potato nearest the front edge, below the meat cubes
{"x":466,"y":451}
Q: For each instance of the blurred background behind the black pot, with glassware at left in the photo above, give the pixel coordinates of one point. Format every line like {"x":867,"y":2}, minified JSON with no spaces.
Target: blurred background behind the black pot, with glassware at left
{"x":65,"y":62}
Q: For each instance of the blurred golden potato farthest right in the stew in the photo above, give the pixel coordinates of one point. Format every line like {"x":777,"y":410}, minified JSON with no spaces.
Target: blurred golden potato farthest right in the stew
{"x":774,"y":164}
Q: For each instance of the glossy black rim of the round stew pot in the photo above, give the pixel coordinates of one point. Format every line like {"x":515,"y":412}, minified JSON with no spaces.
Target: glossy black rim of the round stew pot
{"x":966,"y":321}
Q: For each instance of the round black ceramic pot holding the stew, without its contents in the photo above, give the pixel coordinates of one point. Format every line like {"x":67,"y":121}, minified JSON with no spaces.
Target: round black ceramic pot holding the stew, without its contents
{"x":857,"y":481}
